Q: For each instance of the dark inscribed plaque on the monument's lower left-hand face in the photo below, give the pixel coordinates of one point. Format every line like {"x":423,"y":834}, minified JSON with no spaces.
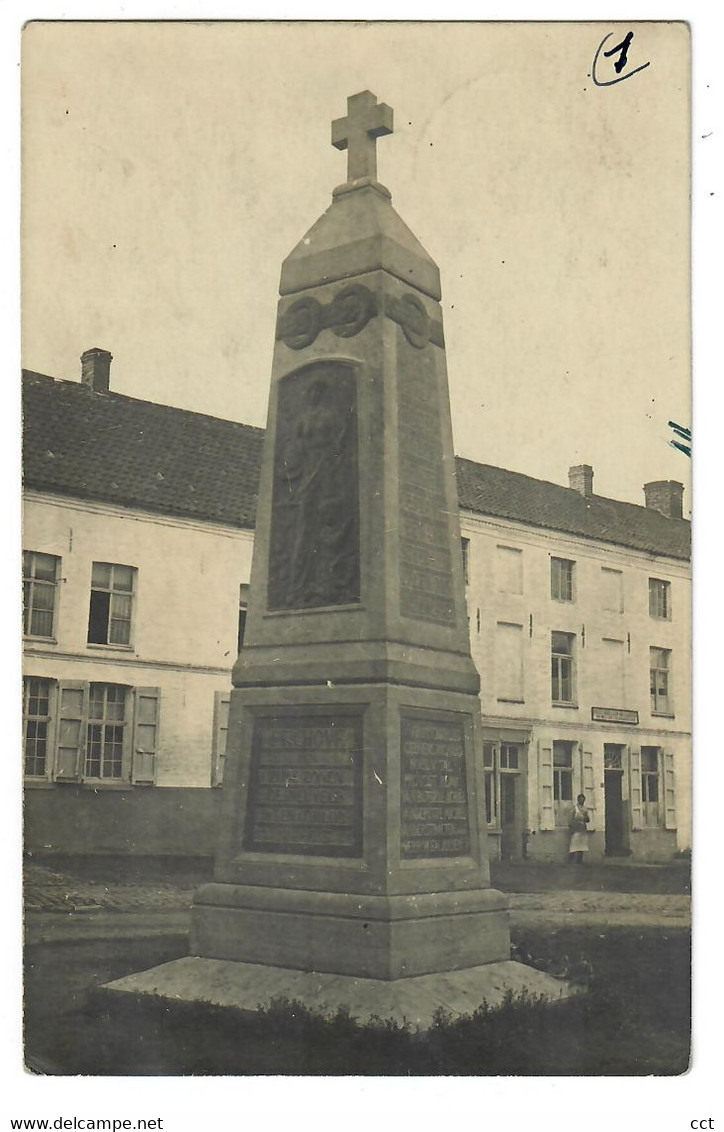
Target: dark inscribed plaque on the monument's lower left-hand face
{"x":306,"y":788}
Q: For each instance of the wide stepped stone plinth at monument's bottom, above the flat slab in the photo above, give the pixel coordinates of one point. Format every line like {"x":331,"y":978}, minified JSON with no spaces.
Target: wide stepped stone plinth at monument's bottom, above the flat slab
{"x":378,"y":938}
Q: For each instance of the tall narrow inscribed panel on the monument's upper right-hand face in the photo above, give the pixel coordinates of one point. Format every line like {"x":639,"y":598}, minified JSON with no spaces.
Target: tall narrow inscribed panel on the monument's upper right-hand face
{"x":426,"y":574}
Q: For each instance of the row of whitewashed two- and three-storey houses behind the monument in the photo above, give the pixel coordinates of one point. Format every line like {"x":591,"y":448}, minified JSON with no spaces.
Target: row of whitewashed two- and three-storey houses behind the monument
{"x":139,"y":536}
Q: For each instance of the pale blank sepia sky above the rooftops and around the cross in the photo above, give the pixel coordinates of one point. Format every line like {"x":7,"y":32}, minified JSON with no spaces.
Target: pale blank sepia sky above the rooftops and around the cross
{"x":168,"y":170}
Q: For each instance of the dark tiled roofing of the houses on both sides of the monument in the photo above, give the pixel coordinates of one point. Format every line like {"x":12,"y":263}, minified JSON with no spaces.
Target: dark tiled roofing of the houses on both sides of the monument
{"x":136,"y":453}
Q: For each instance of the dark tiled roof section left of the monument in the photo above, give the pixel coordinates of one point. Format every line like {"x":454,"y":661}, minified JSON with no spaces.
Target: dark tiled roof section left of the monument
{"x":119,"y":450}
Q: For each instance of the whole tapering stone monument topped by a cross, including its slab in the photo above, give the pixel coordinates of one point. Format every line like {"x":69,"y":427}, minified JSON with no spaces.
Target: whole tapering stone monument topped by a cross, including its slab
{"x":354,"y":838}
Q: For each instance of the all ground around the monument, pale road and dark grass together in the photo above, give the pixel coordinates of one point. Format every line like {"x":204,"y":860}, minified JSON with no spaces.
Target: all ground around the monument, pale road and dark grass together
{"x":93,"y":921}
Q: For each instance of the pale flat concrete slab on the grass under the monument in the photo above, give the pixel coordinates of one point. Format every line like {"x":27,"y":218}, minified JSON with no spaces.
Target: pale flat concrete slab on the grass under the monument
{"x":415,"y":1001}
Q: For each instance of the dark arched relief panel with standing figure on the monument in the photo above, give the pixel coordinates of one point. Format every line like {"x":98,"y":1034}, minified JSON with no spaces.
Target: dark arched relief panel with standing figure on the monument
{"x":314,"y":552}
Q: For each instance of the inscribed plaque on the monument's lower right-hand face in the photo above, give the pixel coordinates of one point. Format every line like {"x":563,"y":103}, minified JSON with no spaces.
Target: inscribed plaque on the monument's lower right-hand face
{"x":434,"y":790}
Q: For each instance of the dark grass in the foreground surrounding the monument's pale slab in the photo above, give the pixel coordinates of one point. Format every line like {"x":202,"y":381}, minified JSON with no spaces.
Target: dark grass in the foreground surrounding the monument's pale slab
{"x":635,"y":1020}
